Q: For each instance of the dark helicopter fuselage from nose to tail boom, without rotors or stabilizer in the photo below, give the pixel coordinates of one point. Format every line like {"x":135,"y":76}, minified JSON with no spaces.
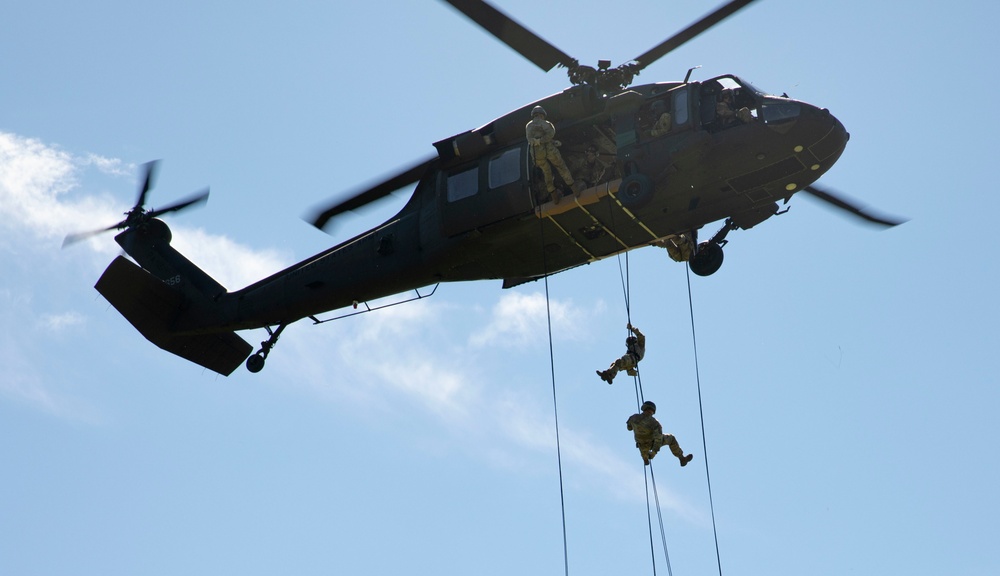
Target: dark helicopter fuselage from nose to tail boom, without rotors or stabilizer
{"x":480,"y":211}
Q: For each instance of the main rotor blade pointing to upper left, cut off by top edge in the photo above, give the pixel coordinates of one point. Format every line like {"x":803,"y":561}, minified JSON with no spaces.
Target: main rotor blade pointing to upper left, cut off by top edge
{"x":510,"y":32}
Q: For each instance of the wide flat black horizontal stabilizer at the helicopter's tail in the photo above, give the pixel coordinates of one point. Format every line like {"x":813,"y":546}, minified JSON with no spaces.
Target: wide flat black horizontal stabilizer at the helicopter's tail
{"x":152,"y":307}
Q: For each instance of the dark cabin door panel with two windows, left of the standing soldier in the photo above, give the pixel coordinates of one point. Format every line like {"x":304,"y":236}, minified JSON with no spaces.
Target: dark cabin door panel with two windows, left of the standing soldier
{"x":493,"y":189}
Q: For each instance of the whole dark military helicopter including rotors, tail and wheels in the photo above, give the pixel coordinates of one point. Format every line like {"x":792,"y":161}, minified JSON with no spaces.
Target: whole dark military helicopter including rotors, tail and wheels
{"x":680,"y":155}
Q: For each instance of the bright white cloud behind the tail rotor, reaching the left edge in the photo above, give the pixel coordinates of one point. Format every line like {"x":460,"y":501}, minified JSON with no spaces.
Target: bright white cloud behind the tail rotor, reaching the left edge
{"x":46,"y":192}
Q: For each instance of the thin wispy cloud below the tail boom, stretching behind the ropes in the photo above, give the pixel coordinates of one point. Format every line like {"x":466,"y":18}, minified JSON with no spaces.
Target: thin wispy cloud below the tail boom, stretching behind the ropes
{"x":404,"y":358}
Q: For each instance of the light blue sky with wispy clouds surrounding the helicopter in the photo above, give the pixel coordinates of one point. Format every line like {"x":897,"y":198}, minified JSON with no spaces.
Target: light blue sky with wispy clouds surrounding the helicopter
{"x":847,"y":374}
